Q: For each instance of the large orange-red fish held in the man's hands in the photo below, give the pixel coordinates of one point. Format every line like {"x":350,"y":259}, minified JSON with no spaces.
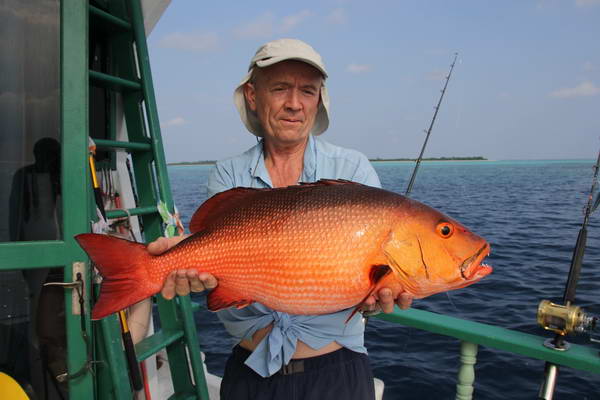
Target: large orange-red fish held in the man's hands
{"x":307,"y":249}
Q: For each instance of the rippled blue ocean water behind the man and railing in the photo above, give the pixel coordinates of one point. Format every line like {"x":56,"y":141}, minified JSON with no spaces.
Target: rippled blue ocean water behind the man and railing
{"x":530,"y":212}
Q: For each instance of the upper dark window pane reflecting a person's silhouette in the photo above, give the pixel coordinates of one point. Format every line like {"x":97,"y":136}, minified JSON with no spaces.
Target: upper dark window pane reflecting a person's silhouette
{"x":30,"y":187}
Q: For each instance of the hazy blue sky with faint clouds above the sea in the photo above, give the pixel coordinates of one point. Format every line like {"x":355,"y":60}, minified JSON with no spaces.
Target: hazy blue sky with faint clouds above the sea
{"x":526,"y":84}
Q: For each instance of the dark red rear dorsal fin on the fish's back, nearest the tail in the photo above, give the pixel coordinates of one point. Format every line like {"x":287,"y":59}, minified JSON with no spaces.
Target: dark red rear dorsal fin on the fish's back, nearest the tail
{"x":212,"y":208}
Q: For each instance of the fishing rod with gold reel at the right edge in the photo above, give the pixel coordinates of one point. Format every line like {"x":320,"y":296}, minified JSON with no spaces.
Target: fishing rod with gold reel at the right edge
{"x":567,"y":318}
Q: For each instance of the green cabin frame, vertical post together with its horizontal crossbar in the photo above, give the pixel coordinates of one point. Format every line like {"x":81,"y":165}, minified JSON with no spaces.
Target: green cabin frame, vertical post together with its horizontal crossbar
{"x":75,"y":180}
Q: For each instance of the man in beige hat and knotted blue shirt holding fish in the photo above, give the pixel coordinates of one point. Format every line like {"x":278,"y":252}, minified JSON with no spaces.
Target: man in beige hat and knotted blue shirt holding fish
{"x":283,"y":100}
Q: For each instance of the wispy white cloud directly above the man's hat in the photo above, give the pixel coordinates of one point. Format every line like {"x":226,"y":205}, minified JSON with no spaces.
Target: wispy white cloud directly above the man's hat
{"x":268,"y":25}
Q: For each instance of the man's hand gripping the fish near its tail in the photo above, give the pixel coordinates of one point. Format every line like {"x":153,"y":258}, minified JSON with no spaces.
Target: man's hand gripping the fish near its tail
{"x":183,"y":281}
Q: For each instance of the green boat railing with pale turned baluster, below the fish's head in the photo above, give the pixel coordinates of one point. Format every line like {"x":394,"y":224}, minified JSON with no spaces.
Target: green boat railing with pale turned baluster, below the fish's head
{"x":472,"y":334}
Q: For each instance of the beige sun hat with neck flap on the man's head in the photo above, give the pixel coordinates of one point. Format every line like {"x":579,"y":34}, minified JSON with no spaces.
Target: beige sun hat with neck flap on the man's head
{"x":272,"y":53}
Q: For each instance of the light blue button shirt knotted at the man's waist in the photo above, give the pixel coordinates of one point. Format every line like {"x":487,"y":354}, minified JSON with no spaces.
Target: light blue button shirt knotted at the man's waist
{"x":322,"y":160}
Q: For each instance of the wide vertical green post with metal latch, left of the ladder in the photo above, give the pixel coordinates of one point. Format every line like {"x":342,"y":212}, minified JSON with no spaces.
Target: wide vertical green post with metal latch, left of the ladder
{"x":75,"y":179}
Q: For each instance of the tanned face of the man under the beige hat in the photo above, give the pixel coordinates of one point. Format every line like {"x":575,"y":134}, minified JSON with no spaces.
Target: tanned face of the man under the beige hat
{"x":285,"y":96}
